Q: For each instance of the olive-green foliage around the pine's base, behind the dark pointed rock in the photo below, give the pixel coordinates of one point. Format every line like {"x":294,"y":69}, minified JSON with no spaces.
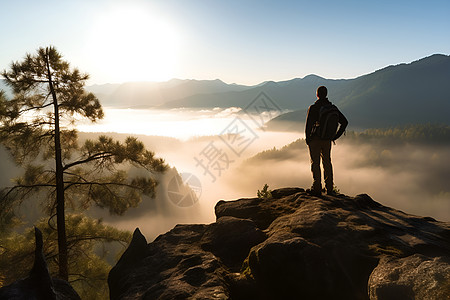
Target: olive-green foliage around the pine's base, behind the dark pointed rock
{"x":90,"y":242}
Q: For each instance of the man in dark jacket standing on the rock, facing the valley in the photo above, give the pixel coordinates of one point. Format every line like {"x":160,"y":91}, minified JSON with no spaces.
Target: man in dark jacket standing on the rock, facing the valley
{"x":320,"y":146}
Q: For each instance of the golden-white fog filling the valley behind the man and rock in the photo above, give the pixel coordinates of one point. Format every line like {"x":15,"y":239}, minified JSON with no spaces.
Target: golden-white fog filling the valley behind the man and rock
{"x":215,"y":151}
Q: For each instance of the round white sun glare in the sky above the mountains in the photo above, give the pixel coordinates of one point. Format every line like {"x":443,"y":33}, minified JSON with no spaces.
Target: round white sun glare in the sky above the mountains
{"x":133,"y":44}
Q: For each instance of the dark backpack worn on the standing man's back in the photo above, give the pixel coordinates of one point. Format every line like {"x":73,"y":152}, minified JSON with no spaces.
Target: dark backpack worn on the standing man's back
{"x":328,"y":123}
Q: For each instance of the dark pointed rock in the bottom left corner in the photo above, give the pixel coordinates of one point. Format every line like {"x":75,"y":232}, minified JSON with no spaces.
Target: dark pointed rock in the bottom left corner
{"x":39,"y":285}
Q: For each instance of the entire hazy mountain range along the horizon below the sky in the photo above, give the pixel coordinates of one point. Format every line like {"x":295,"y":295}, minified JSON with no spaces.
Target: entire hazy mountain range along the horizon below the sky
{"x":407,"y":93}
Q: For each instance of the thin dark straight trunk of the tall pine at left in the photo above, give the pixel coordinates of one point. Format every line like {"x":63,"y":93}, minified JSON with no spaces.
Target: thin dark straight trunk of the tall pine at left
{"x":60,"y":210}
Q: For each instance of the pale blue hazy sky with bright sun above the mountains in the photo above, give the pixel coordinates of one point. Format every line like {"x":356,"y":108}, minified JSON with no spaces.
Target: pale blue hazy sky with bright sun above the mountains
{"x":245,"y":42}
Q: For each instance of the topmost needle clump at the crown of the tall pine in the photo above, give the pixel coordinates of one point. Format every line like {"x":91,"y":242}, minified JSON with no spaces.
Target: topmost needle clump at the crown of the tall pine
{"x":29,"y":80}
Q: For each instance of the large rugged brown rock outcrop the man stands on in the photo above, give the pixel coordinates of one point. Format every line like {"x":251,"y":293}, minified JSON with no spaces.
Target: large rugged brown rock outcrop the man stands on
{"x":293,"y":246}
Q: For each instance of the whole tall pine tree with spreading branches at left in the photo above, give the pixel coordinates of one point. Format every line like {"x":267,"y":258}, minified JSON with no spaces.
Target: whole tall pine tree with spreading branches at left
{"x":37,"y":127}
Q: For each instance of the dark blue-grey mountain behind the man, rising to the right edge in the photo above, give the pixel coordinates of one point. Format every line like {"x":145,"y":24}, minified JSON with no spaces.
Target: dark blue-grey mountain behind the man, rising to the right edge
{"x":396,"y":95}
